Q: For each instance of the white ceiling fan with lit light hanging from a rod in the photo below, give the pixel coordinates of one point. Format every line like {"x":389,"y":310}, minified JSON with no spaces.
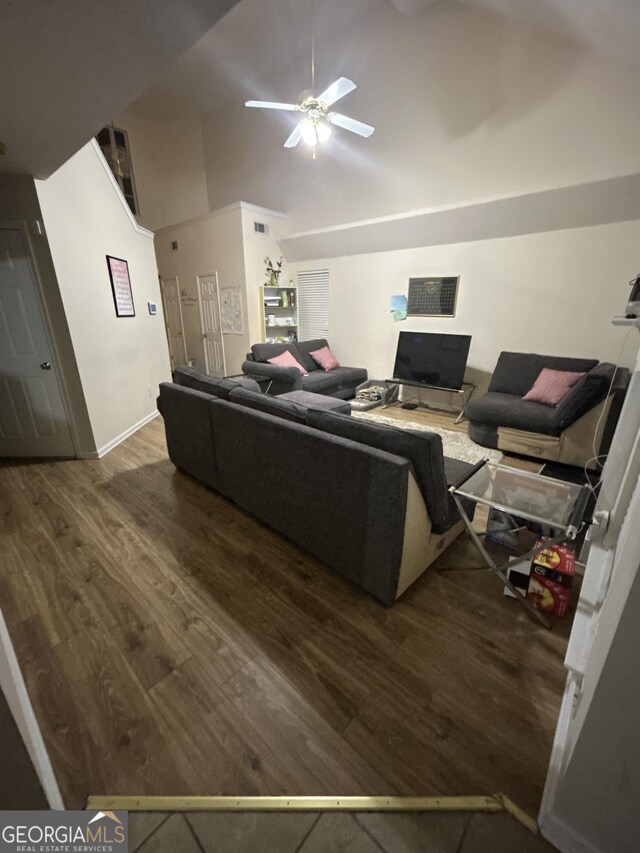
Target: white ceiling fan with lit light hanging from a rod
{"x":315,"y":127}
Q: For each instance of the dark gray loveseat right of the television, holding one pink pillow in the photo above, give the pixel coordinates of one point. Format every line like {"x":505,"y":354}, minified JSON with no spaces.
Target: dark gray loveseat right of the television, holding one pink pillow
{"x":564,"y":433}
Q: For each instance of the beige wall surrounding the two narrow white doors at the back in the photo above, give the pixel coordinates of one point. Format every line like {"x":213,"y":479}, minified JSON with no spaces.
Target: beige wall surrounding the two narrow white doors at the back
{"x":207,"y":245}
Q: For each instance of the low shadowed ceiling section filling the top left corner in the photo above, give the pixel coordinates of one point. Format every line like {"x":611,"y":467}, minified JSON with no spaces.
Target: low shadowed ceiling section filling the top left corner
{"x":68,"y":66}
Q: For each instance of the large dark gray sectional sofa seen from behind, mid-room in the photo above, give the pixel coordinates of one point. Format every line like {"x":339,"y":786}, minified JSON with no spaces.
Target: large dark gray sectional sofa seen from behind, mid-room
{"x":370,"y":501}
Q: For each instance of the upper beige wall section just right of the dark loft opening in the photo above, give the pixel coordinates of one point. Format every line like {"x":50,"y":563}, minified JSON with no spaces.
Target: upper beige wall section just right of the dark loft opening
{"x":168,"y":168}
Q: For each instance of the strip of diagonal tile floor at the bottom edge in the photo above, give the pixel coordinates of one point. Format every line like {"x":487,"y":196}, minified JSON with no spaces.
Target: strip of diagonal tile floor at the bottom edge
{"x":330,"y":832}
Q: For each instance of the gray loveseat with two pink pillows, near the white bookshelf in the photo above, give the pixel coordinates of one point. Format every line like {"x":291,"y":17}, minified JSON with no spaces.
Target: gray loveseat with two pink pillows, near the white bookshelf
{"x":341,"y":382}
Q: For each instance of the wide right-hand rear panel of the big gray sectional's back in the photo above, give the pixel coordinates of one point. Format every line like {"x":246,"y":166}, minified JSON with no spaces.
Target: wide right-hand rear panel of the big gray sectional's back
{"x":342,"y":501}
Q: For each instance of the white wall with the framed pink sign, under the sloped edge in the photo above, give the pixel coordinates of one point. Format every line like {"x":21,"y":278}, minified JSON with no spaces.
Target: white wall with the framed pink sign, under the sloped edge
{"x":121,"y":361}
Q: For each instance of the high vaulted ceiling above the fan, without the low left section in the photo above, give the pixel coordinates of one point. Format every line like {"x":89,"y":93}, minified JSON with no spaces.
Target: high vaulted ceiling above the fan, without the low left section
{"x":260,"y":37}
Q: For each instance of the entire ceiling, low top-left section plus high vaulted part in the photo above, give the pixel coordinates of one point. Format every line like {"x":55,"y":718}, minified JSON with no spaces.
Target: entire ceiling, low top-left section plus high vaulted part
{"x":68,"y":66}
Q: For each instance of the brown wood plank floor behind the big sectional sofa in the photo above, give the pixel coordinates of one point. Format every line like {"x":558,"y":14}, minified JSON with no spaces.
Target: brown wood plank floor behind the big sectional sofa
{"x":172,"y":644}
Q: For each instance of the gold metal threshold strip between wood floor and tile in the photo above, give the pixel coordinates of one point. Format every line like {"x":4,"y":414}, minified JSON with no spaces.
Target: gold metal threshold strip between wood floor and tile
{"x":164,"y":804}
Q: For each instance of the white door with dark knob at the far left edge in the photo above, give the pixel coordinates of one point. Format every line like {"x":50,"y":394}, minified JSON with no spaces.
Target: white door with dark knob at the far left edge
{"x":33,"y":420}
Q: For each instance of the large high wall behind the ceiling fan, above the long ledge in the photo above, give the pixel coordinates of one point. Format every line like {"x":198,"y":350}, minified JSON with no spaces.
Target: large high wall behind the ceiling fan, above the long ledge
{"x":466,"y":105}
